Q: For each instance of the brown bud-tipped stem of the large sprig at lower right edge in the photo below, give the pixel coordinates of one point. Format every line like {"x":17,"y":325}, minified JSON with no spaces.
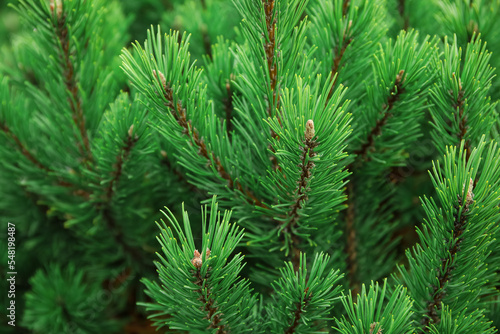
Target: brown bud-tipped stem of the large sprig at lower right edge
{"x":460,"y":222}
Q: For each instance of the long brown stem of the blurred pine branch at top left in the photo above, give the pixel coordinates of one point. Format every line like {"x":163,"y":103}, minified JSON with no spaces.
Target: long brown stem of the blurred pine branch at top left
{"x":62,"y":34}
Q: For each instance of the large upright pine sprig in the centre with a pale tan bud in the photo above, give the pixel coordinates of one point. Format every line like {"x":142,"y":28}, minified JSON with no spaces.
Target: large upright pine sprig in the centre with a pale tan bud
{"x":308,"y":184}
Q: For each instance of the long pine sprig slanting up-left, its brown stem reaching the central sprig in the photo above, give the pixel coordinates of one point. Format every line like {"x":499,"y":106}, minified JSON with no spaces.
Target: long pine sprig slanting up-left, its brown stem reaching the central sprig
{"x":165,"y":75}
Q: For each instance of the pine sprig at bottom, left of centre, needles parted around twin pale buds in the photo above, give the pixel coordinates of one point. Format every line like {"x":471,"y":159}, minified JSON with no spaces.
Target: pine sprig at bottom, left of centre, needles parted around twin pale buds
{"x":201,"y":286}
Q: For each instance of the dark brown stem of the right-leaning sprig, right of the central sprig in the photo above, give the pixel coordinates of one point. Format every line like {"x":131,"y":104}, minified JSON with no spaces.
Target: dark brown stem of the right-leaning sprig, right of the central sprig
{"x":394,"y":95}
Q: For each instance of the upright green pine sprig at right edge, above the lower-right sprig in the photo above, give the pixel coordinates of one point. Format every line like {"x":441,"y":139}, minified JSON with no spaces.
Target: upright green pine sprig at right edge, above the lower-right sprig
{"x":461,"y":108}
